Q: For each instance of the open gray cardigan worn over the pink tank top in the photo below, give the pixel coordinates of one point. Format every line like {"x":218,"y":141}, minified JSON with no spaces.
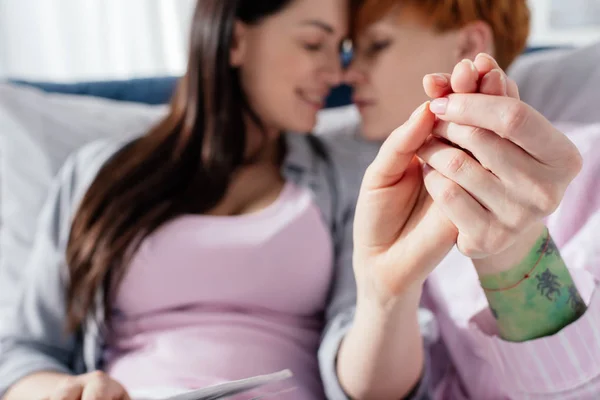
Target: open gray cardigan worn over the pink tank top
{"x":32,"y":334}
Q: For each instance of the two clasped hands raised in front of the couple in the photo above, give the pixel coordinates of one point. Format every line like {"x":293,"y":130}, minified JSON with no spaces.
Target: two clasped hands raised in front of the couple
{"x":476,"y":167}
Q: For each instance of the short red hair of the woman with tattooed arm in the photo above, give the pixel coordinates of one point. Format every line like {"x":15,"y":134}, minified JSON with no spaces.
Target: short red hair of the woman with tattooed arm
{"x":508,"y":19}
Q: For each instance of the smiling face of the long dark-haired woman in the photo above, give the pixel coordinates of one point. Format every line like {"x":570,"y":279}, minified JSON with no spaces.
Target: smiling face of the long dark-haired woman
{"x":290,"y":61}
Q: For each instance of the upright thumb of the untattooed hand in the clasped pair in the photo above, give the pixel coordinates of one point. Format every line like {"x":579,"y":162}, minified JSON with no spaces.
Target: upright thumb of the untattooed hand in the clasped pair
{"x":399,"y":149}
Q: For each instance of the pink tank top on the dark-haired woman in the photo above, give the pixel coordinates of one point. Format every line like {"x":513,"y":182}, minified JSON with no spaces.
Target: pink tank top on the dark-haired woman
{"x":208,"y":299}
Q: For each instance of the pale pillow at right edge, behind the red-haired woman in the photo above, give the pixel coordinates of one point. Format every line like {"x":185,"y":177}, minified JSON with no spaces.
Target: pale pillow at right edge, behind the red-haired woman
{"x":561,"y":84}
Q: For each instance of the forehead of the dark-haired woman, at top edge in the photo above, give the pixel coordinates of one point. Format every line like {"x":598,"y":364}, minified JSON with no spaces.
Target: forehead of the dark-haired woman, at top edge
{"x":331,"y":13}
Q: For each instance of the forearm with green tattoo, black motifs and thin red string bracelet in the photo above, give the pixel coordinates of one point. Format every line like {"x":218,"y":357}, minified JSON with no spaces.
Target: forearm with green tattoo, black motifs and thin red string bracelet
{"x":536,"y":297}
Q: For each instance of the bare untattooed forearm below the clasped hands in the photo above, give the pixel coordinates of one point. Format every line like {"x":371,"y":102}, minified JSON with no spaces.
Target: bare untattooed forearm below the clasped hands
{"x":382,"y":355}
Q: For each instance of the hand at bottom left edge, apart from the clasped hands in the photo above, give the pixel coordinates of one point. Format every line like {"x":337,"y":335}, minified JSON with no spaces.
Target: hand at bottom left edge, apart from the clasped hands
{"x":92,"y":386}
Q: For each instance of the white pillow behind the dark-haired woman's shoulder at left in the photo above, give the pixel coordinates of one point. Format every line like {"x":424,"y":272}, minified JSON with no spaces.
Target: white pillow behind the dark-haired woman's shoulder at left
{"x":38,"y":131}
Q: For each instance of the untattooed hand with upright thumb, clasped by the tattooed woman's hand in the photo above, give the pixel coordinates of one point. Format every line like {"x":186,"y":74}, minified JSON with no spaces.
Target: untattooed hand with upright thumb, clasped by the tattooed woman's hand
{"x":400,"y":235}
